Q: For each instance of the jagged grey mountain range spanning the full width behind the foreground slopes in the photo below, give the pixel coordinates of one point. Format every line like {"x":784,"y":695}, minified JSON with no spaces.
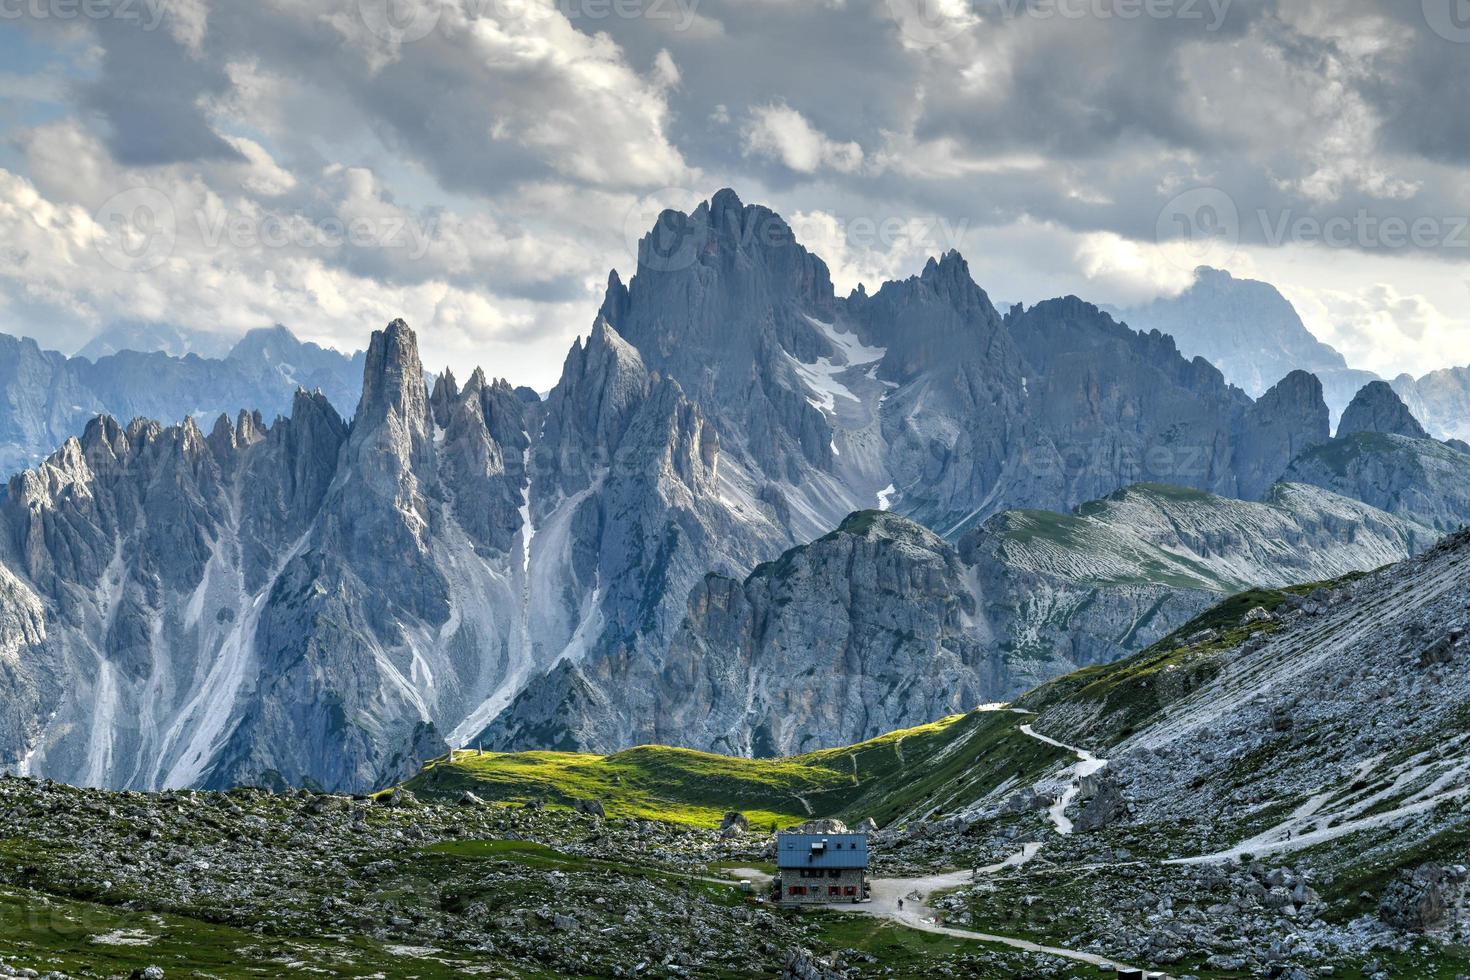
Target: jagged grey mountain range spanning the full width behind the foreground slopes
{"x":649,"y":553}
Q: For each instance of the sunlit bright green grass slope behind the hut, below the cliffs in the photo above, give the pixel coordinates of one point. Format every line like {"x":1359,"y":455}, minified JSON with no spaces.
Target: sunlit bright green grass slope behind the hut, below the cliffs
{"x":912,"y":774}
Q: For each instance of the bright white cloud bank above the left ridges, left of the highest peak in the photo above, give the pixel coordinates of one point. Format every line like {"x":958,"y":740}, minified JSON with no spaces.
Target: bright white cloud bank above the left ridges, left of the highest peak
{"x":331,"y":267}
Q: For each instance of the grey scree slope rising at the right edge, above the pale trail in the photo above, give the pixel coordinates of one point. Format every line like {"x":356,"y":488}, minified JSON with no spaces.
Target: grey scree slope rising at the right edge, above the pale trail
{"x":1330,"y":727}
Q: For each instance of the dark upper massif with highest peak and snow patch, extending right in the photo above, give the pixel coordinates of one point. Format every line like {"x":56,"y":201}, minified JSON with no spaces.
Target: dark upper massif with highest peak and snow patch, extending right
{"x":921,"y":397}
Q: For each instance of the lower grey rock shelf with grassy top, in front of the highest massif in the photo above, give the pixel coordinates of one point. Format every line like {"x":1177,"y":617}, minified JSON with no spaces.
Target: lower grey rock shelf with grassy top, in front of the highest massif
{"x":821,"y":646}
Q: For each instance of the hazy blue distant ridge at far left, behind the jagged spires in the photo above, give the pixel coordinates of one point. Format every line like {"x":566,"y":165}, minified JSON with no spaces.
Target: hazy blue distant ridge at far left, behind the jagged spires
{"x":49,"y":397}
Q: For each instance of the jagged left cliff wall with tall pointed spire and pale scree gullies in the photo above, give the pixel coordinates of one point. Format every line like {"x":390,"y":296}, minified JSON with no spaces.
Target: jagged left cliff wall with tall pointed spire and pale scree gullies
{"x":298,"y":602}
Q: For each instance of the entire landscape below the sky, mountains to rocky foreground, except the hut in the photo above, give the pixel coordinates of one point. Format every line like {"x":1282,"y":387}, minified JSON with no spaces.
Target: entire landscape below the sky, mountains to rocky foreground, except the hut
{"x":478,"y":681}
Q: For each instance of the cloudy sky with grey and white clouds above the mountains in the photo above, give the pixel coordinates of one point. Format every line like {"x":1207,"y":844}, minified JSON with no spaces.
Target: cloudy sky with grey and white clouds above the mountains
{"x":477,"y":167}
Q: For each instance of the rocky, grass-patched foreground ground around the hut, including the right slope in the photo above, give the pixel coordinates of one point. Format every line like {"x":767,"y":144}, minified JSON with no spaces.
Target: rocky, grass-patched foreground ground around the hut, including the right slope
{"x":1275,"y":790}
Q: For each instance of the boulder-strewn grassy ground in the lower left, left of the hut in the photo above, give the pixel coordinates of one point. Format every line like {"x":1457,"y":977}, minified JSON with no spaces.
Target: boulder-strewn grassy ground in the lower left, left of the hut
{"x":246,"y":884}
